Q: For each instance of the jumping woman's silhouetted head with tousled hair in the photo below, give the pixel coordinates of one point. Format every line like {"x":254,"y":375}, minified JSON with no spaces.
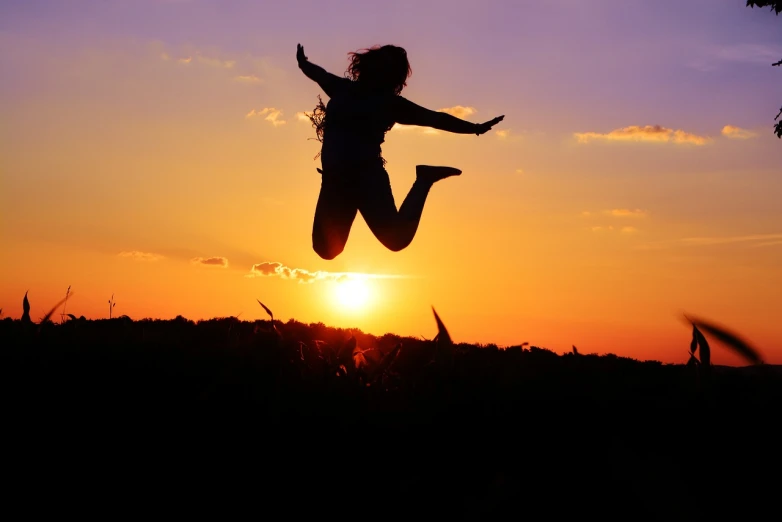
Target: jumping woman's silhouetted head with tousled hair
{"x":380,"y":68}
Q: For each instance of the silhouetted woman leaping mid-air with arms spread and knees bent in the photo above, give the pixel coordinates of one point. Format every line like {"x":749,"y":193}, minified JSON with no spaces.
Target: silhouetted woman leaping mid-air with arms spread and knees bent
{"x":352,"y":126}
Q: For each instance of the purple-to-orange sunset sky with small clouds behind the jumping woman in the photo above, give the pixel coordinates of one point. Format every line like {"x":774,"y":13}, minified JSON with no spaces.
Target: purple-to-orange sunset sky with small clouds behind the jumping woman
{"x":156,"y":150}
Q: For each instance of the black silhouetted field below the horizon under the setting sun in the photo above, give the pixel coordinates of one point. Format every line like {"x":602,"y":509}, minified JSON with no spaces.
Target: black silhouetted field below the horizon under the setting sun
{"x":292,"y":420}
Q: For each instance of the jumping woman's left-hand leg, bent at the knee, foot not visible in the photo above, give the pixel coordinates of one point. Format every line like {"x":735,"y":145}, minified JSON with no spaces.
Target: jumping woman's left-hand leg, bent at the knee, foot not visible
{"x":334,"y":215}
